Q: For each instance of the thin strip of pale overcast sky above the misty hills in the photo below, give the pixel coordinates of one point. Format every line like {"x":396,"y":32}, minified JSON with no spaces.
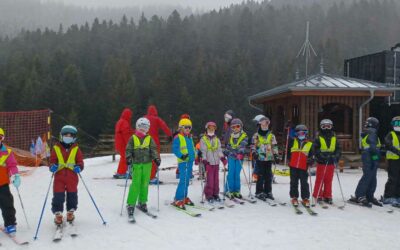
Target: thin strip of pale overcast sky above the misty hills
{"x":200,"y":4}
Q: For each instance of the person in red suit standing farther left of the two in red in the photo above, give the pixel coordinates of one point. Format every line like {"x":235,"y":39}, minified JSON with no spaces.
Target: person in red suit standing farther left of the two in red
{"x":123,"y":132}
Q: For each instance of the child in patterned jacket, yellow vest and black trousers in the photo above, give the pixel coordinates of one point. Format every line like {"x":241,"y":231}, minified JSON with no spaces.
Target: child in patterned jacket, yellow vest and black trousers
{"x":264,"y":150}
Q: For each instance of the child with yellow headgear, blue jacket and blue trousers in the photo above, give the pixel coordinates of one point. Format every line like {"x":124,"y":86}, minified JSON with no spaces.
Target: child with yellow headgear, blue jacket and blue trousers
{"x":184,"y":150}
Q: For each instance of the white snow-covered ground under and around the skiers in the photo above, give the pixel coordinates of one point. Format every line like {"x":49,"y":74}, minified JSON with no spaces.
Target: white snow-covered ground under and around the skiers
{"x":248,"y":226}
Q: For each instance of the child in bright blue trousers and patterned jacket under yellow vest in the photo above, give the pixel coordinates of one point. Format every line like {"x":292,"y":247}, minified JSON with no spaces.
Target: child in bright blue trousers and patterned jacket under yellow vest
{"x":235,"y":150}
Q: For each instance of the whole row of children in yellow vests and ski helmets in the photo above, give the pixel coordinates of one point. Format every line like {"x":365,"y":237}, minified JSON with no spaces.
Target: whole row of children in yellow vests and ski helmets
{"x":66,"y":163}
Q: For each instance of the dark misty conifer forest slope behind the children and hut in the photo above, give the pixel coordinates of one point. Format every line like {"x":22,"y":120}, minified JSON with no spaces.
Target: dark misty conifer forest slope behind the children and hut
{"x":196,"y":64}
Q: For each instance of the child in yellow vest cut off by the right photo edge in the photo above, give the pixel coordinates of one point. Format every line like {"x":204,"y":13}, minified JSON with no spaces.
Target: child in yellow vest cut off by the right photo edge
{"x":392,"y":187}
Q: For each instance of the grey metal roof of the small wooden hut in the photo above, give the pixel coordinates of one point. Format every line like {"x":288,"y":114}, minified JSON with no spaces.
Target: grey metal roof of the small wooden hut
{"x":325,"y":82}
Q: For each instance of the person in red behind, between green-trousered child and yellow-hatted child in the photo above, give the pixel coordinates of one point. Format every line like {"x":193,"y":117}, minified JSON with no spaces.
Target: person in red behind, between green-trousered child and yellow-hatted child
{"x":156,"y":123}
